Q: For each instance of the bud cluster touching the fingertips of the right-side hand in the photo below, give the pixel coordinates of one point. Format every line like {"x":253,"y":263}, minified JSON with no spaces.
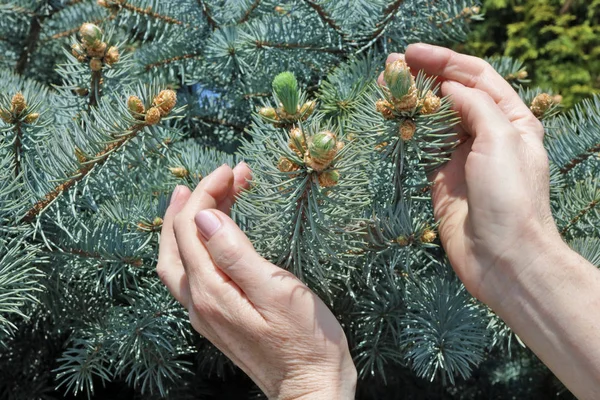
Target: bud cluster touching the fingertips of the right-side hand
{"x":402,"y":95}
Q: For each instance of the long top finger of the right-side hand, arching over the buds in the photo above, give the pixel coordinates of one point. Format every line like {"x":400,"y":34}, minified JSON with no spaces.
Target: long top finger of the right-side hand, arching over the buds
{"x":475,"y":73}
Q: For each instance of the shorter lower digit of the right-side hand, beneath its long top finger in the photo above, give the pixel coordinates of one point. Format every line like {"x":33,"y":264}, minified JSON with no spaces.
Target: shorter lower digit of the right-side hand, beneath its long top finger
{"x":480,"y":116}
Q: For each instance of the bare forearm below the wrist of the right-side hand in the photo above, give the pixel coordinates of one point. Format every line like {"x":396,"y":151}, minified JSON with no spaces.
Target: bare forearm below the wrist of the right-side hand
{"x":554,"y":307}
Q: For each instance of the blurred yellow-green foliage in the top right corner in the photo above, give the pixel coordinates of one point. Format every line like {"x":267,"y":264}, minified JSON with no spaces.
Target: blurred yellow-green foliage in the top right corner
{"x":558,"y":40}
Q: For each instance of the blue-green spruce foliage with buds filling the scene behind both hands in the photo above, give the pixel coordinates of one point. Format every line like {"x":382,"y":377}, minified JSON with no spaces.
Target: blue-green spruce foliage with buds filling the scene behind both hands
{"x":92,"y":142}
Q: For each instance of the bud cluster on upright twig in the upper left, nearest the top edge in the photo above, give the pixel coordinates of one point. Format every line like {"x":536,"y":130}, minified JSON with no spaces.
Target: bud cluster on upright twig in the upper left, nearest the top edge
{"x":92,"y":49}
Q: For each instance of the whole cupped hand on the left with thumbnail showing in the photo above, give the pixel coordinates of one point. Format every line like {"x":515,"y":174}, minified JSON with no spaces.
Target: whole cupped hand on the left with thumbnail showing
{"x":259,"y":315}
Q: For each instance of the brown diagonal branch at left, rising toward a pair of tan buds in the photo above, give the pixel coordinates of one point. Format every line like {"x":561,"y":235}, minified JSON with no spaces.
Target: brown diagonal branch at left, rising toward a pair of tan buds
{"x":81,"y":173}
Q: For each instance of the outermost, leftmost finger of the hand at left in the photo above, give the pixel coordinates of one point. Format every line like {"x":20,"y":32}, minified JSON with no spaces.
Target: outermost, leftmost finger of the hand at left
{"x":169,"y":268}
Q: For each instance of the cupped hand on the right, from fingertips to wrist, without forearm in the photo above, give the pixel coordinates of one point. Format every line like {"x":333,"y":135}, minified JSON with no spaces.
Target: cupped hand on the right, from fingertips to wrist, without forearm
{"x":492,"y":198}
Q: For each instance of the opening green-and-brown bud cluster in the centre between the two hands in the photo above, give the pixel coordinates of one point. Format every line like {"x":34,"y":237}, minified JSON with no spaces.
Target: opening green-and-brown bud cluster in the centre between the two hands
{"x":316,"y":152}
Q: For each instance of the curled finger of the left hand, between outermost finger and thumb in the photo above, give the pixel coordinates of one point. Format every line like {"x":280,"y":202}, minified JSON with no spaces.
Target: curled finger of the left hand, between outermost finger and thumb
{"x":211,"y":191}
